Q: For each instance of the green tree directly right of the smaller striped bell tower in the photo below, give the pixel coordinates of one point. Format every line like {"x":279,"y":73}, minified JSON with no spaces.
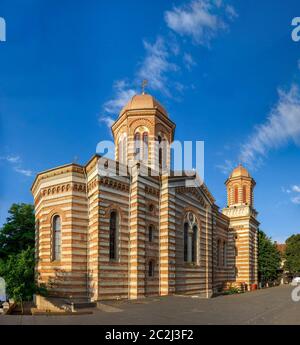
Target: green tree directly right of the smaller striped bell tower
{"x":269,"y":259}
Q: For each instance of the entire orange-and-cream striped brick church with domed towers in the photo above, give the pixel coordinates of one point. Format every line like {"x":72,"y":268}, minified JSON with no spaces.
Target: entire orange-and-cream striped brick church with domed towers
{"x":103,"y":236}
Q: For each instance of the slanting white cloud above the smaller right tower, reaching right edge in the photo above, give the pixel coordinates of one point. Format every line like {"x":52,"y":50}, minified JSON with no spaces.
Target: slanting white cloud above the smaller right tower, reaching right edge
{"x":282,"y":126}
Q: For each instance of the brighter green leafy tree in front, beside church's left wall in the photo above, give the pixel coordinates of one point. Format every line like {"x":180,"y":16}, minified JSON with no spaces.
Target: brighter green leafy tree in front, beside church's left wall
{"x":18,"y":272}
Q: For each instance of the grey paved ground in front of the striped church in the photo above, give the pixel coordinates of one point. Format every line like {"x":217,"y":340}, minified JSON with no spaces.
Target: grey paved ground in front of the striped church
{"x":268,"y":306}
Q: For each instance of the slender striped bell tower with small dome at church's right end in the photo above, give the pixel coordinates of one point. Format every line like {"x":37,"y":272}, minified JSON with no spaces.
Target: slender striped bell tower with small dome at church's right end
{"x":243,"y":225}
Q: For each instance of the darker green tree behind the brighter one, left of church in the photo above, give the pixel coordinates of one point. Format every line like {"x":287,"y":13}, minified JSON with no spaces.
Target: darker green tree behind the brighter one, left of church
{"x":17,"y":234}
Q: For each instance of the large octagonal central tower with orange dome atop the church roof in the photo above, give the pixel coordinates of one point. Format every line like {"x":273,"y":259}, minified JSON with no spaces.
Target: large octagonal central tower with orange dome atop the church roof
{"x":143,"y":133}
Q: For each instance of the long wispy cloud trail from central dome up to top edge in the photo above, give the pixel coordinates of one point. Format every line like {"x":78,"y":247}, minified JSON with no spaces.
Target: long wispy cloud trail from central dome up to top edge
{"x":199,"y":19}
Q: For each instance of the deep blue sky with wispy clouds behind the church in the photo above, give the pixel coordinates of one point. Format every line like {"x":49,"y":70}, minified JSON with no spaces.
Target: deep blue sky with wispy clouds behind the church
{"x":228,"y":73}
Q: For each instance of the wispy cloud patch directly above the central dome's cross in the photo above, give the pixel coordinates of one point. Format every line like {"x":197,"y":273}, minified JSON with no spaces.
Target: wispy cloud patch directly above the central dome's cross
{"x":156,"y":65}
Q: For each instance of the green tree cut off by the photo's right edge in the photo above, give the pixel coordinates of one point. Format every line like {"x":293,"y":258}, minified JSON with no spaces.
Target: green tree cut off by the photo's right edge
{"x":292,"y":255}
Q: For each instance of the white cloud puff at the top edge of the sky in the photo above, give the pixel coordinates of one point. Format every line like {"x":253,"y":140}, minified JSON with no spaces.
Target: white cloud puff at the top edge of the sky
{"x":199,"y":19}
